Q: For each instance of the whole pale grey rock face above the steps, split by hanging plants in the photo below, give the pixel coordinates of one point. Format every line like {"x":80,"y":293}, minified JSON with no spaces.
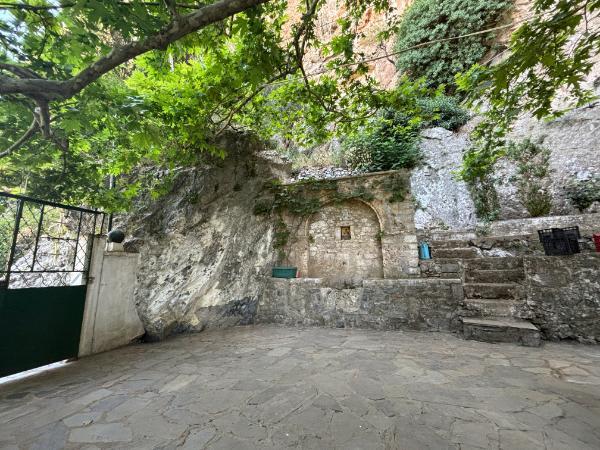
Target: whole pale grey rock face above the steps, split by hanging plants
{"x":443,"y":203}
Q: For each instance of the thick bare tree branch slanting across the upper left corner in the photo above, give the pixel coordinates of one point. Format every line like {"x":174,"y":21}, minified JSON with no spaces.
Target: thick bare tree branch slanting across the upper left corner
{"x":179,"y":27}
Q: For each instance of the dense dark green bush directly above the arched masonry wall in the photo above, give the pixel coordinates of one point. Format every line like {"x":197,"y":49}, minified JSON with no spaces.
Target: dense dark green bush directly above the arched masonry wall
{"x":390,"y":142}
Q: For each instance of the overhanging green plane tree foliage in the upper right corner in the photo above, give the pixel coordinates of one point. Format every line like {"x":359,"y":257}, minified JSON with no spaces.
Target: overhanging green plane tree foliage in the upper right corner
{"x":543,"y":74}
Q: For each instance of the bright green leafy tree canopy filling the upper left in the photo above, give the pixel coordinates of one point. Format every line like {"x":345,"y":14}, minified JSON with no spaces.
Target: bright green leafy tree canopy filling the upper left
{"x":168,"y":103}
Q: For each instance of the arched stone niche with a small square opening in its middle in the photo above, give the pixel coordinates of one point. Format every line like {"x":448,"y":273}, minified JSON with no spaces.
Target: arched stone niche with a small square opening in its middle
{"x":345,"y":262}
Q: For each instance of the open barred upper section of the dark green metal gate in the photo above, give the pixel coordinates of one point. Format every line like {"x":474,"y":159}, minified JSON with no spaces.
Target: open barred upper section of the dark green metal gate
{"x":44,"y":243}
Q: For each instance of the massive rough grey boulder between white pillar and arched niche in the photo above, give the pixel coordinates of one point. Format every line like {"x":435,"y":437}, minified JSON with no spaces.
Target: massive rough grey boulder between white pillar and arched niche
{"x":204,"y":254}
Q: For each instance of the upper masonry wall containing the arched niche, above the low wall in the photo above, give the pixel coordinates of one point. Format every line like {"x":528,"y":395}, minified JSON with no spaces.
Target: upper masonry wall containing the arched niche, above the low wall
{"x":383,"y":242}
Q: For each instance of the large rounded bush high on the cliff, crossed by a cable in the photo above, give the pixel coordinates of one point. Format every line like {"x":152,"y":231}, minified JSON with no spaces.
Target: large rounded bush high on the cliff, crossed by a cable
{"x":428,"y":20}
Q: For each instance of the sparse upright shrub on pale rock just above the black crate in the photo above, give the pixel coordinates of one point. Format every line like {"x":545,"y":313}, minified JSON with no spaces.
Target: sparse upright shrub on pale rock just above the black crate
{"x":533,"y":163}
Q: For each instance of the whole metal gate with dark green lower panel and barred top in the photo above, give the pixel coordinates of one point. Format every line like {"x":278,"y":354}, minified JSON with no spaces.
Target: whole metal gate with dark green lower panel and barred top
{"x":45,"y":251}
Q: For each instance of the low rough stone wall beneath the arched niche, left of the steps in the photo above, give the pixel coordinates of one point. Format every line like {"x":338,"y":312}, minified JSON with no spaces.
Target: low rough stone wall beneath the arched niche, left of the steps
{"x":411,"y":304}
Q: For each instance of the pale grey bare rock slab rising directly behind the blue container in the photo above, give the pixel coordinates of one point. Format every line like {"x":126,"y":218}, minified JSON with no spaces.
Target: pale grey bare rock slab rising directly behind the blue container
{"x":442,"y":202}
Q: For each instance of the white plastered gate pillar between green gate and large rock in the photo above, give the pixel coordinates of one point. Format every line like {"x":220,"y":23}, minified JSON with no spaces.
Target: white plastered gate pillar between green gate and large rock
{"x":110,"y":319}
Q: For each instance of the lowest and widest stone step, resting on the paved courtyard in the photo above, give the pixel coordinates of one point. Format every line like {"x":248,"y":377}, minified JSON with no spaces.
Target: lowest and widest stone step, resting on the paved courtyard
{"x":501,"y":329}
